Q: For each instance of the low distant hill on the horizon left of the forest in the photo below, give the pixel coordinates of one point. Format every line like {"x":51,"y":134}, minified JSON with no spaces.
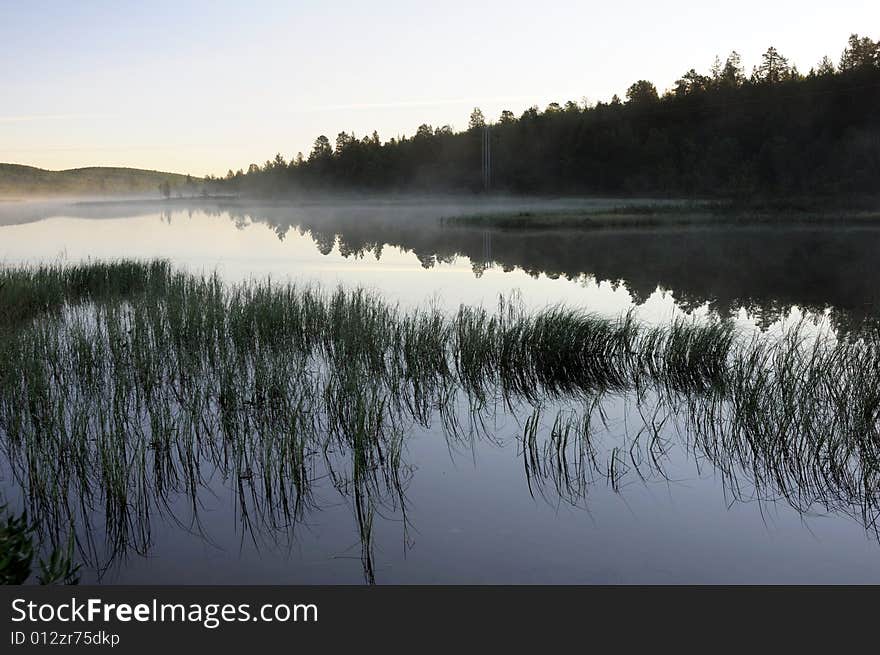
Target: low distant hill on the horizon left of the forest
{"x":23,"y":181}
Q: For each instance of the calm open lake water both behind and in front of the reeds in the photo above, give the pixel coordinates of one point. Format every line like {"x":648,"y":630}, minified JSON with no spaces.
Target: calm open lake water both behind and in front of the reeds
{"x":472,"y":514}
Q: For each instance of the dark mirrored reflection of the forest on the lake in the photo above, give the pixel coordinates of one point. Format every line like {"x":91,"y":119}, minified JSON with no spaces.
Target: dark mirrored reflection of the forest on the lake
{"x":765,"y":270}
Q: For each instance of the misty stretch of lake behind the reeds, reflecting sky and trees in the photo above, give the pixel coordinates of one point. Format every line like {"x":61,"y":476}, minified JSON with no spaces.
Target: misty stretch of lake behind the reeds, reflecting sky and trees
{"x":764,"y":272}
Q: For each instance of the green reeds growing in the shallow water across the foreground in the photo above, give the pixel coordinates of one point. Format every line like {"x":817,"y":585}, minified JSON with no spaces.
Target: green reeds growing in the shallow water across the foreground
{"x":127,"y":385}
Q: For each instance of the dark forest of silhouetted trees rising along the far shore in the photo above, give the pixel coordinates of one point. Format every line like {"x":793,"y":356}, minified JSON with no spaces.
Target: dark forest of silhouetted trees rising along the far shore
{"x":723,"y":133}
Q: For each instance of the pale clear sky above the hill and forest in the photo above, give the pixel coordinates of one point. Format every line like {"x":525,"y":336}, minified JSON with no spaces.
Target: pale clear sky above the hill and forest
{"x":202,"y":87}
